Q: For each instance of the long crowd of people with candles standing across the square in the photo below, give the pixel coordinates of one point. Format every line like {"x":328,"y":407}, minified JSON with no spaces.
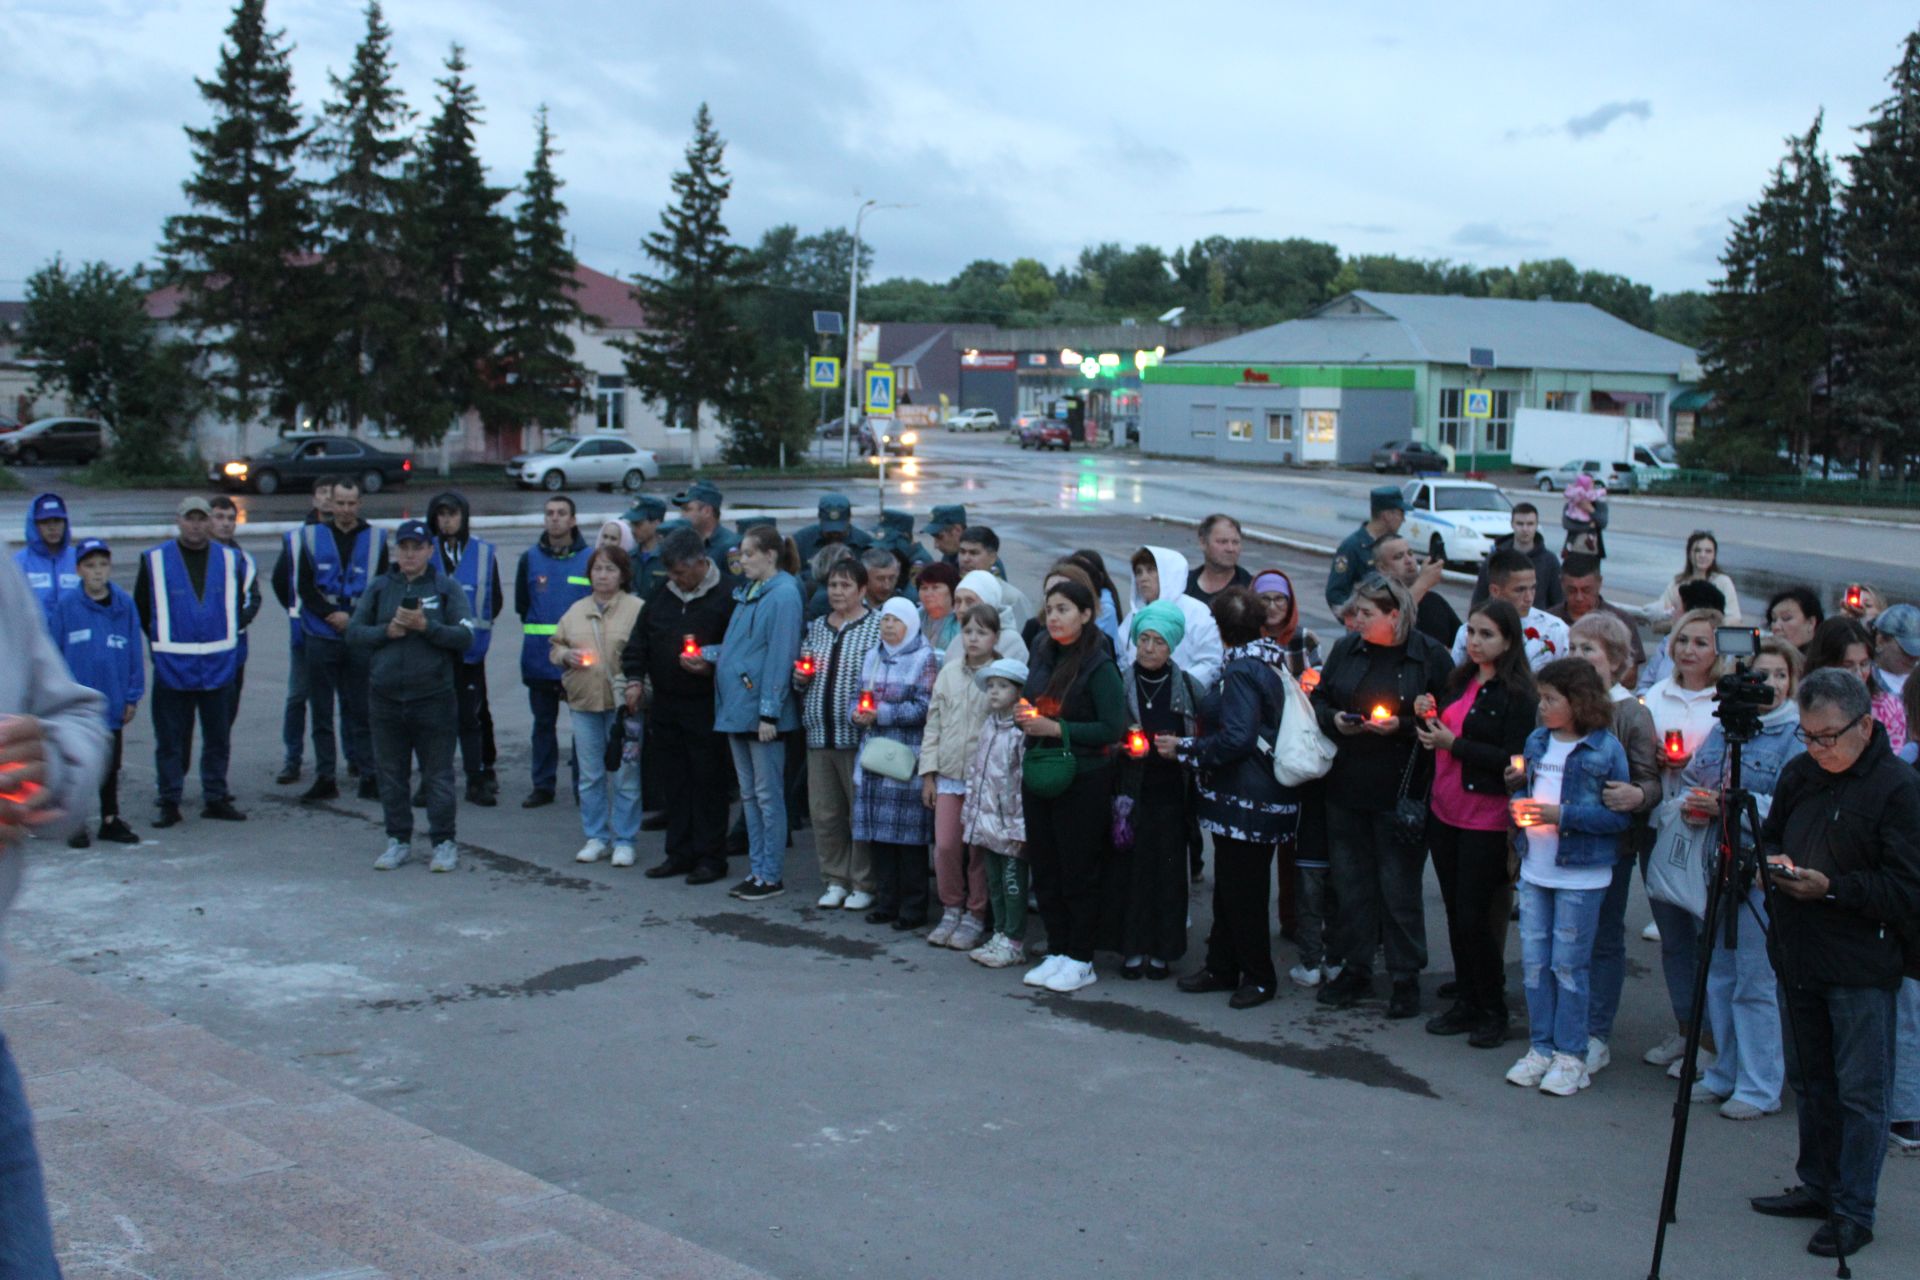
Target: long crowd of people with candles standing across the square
{"x":963,"y":751}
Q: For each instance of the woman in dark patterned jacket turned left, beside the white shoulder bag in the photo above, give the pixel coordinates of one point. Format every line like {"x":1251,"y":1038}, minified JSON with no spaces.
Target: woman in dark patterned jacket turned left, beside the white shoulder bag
{"x":1241,"y":803}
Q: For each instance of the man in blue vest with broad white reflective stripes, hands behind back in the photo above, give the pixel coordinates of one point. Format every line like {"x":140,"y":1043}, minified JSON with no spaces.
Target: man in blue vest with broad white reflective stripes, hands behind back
{"x":195,"y":602}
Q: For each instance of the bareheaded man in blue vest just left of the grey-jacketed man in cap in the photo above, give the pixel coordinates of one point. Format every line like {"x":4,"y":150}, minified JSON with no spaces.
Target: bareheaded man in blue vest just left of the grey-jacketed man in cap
{"x":337,"y":561}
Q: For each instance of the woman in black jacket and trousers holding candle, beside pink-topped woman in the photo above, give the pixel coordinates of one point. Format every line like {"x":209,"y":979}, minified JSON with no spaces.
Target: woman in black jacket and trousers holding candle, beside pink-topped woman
{"x":1366,"y":705}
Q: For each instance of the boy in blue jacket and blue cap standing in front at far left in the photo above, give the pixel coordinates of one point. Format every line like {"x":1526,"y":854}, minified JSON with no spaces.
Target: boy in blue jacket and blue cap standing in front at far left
{"x":99,"y":632}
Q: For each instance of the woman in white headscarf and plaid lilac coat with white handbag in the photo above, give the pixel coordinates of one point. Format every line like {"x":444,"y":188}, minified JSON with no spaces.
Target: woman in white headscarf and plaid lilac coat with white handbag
{"x":890,"y":815}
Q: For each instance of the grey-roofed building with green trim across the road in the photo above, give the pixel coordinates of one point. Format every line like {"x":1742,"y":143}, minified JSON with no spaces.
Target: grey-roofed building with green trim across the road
{"x":1366,"y":369}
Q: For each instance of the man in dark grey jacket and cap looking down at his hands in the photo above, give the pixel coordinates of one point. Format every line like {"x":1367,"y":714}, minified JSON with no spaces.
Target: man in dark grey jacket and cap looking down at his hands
{"x":416,"y":627}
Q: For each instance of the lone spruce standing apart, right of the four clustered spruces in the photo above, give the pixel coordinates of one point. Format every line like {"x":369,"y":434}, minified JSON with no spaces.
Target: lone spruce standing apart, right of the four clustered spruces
{"x":694,"y":352}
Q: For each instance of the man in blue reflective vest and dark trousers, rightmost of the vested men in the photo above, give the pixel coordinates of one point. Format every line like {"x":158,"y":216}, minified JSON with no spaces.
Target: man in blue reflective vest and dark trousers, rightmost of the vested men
{"x":552,"y":577}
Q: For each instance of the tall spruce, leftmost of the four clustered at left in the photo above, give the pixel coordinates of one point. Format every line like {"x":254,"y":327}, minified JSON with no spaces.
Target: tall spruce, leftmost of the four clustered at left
{"x":252,"y":218}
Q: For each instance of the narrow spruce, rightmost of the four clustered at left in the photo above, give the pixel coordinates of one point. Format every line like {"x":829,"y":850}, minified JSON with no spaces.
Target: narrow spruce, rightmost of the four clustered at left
{"x":537,"y":375}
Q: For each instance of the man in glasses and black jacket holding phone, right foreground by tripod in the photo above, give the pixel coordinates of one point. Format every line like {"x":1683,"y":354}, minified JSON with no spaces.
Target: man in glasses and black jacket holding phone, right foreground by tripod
{"x":1842,"y":853}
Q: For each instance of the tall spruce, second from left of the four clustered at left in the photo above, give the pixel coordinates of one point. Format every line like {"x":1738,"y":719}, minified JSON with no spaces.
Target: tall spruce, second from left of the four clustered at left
{"x":372,"y":306}
